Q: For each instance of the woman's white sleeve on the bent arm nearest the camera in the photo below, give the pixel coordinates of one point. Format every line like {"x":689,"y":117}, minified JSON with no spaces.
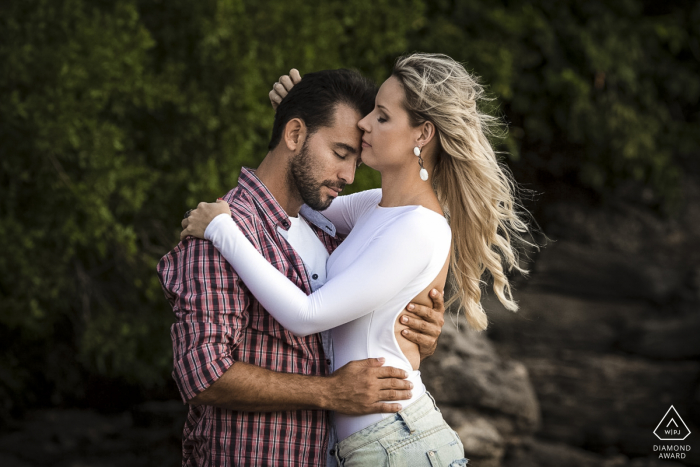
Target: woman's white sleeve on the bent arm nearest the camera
{"x":391,"y":260}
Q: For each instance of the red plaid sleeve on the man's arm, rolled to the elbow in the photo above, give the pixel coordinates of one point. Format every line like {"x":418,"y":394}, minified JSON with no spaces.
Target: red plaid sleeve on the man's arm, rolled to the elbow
{"x":211,"y":312}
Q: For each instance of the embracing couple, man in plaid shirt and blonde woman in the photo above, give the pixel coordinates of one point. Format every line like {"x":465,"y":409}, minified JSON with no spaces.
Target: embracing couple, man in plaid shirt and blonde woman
{"x":302,"y":316}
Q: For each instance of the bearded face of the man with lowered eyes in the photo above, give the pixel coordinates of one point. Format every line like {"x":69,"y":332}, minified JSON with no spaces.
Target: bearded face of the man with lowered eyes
{"x":328,"y":159}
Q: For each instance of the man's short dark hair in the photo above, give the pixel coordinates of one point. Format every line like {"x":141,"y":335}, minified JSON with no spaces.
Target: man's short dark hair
{"x":315,"y":98}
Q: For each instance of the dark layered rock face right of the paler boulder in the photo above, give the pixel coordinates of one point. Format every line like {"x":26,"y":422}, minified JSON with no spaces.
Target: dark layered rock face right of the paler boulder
{"x":608,"y":330}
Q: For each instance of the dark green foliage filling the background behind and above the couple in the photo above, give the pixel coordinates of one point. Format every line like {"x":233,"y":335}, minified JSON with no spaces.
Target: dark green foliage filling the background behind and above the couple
{"x":115,"y":117}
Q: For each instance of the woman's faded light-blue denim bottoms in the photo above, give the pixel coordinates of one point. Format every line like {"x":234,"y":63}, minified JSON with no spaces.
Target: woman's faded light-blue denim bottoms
{"x":415,"y":437}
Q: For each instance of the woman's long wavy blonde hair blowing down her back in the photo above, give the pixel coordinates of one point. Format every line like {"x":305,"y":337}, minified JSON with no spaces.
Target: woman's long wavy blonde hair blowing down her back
{"x":476,"y":191}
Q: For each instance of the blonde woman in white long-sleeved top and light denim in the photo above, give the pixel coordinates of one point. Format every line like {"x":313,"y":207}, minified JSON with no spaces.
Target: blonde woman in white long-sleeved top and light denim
{"x":430,"y":143}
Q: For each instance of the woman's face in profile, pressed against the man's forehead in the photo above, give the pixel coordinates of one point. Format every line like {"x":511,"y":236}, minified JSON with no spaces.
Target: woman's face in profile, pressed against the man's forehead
{"x":388,"y":138}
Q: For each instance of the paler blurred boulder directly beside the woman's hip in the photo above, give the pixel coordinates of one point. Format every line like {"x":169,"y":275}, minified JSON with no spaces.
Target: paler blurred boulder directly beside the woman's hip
{"x":485,"y":398}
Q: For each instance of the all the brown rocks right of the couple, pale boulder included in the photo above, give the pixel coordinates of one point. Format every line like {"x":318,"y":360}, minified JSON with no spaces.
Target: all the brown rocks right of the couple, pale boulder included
{"x":608,"y":336}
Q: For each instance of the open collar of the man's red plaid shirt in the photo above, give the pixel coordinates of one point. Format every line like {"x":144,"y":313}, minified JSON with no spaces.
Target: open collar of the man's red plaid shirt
{"x":273,"y":213}
